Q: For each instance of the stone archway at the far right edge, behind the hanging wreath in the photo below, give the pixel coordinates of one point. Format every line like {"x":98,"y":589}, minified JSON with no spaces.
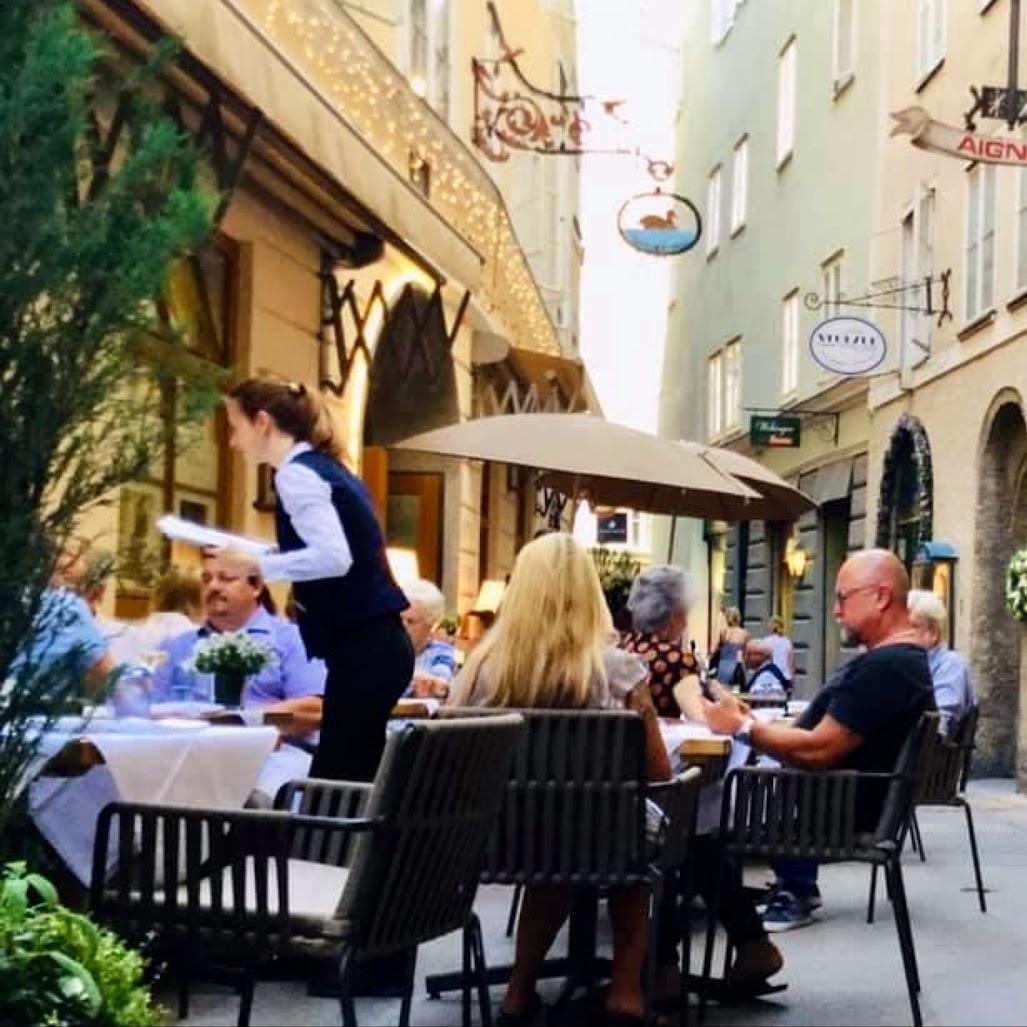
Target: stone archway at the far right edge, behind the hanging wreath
{"x":998,"y":640}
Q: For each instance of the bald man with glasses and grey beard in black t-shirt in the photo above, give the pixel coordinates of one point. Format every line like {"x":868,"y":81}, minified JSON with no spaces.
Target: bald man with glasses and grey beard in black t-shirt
{"x":860,"y":720}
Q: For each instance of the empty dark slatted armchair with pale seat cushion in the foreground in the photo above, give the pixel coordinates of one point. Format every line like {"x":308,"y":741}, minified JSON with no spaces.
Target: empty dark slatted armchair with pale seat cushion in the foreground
{"x":249,"y":888}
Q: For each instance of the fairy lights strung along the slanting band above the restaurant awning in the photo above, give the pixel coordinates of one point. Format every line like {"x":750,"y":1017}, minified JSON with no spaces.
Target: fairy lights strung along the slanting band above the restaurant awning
{"x":376,"y":99}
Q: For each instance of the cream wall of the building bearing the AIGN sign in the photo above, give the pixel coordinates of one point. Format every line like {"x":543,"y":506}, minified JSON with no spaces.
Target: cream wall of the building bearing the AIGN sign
{"x":952,"y":394}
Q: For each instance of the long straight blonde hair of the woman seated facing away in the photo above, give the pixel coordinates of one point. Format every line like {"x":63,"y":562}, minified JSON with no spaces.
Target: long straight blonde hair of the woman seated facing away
{"x":546,"y":649}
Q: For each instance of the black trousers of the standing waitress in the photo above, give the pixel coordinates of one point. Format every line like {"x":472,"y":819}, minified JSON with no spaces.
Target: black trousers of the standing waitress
{"x":368,"y":671}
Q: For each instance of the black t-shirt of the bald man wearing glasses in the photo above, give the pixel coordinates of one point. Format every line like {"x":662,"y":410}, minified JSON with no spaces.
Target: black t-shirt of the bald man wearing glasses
{"x":881,"y":697}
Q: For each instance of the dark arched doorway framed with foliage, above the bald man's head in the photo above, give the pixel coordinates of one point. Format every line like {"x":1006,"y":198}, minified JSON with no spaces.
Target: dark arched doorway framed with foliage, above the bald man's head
{"x":906,"y":511}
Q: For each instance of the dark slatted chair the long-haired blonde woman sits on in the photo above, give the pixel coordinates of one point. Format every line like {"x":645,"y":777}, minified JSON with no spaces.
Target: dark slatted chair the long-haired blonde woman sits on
{"x":575,"y":815}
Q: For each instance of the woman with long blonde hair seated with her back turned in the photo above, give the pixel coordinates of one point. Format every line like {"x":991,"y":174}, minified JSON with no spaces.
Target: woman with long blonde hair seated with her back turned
{"x":550,"y":649}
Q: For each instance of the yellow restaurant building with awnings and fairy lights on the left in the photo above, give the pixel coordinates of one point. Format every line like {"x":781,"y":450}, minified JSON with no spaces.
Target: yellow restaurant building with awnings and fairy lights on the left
{"x":365,"y":249}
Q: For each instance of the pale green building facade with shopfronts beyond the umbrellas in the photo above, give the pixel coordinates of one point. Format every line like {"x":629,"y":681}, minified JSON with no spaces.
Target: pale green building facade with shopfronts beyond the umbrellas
{"x":784,"y":168}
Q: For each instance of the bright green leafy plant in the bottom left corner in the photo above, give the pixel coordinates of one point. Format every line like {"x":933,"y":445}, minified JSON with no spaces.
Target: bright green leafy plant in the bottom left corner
{"x":58,"y":967}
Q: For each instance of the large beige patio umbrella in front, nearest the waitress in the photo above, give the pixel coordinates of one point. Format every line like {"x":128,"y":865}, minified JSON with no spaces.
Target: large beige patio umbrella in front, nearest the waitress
{"x":587,"y":458}
